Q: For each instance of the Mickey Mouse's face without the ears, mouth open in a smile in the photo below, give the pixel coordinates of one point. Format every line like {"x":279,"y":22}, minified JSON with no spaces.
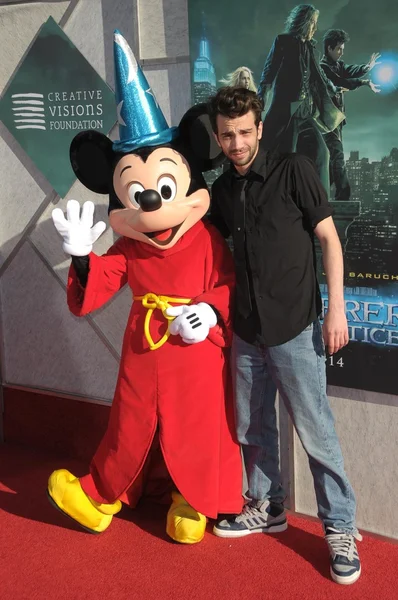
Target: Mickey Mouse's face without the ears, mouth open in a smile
{"x":157,"y":210}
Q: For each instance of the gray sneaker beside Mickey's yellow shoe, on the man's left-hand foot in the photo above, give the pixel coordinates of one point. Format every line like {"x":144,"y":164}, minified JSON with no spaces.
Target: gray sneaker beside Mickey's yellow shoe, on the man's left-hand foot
{"x":256,"y":517}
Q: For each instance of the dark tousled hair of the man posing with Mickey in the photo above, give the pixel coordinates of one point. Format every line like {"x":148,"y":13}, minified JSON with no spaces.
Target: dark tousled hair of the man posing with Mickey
{"x":234,"y":102}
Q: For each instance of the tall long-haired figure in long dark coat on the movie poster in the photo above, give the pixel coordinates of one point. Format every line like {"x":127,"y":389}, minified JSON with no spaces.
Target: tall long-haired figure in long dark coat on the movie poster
{"x":301,"y":108}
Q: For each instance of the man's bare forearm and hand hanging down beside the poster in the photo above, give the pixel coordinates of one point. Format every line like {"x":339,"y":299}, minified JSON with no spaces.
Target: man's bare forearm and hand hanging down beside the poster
{"x":335,"y":329}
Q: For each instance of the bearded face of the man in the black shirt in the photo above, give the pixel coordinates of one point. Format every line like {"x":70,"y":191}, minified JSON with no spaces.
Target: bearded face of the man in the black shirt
{"x":239,"y":138}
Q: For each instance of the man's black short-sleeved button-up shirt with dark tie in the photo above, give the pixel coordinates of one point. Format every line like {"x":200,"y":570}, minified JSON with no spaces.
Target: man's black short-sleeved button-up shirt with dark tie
{"x":271,"y":213}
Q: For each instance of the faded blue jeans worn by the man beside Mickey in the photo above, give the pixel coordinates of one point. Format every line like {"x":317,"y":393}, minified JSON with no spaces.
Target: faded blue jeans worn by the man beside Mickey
{"x":297,"y":370}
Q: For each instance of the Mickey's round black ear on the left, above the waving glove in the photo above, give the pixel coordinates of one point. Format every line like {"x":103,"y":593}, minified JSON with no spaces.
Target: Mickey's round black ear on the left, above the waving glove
{"x":91,"y":157}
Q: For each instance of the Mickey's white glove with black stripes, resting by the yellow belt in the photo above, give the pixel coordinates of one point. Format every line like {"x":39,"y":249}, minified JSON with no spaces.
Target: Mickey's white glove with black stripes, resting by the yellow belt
{"x":193,"y":322}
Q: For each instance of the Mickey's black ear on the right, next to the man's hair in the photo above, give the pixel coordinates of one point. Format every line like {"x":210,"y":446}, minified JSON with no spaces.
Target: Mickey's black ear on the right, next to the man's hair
{"x":197,"y":133}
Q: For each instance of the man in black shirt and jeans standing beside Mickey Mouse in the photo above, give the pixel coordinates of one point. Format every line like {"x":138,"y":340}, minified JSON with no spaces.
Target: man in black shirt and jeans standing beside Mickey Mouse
{"x":273,"y":205}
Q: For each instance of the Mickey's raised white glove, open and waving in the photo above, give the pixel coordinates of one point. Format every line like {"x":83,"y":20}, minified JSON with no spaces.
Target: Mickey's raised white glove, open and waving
{"x":78,"y":232}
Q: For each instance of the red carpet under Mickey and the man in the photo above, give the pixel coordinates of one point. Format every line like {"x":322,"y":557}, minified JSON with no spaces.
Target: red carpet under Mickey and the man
{"x":44,"y":556}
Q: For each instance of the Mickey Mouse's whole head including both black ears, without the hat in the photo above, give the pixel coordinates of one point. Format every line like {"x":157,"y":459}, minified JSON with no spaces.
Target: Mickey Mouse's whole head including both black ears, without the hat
{"x":154,"y":199}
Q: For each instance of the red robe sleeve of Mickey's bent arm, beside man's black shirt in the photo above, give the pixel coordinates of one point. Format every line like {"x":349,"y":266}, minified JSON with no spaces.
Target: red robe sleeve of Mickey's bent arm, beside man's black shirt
{"x":219,"y":287}
